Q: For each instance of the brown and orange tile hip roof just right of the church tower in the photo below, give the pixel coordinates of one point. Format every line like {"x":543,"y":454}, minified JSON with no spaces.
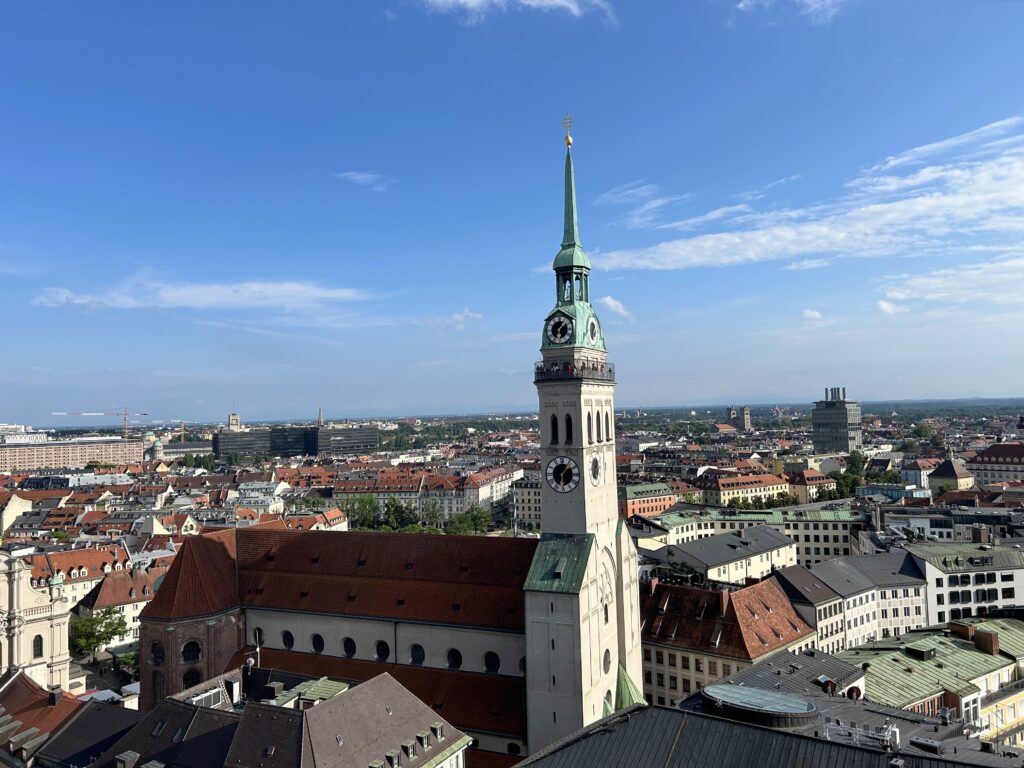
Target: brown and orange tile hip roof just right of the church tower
{"x":747,"y":624}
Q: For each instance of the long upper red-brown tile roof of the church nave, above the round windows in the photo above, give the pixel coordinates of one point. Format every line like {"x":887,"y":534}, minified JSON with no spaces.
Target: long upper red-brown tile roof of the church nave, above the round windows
{"x":465,"y":581}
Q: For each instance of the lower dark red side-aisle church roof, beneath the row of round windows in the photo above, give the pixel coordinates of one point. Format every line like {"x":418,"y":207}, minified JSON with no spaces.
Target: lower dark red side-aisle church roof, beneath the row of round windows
{"x":474,"y":702}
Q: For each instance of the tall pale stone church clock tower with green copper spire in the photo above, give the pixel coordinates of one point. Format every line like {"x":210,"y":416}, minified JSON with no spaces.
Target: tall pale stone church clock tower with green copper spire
{"x":583,"y":634}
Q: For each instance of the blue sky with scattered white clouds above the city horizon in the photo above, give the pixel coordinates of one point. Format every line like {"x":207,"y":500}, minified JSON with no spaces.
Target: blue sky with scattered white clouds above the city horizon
{"x":356,"y":204}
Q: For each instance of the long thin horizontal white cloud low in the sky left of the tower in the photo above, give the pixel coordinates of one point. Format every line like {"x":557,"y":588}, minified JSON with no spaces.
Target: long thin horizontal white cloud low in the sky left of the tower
{"x":258,"y":295}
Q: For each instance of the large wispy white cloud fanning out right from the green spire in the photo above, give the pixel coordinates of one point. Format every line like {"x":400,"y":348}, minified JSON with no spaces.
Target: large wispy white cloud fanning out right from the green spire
{"x":960,"y":204}
